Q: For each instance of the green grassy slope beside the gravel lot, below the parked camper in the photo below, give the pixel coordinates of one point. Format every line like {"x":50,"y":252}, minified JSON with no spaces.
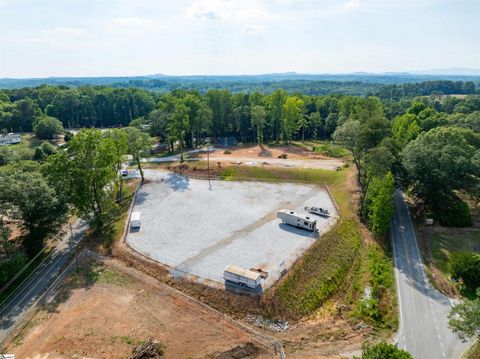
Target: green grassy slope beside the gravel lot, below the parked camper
{"x":319,"y":274}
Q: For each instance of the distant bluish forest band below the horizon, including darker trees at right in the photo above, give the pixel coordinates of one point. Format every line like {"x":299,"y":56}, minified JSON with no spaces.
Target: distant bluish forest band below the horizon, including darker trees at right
{"x":360,"y":84}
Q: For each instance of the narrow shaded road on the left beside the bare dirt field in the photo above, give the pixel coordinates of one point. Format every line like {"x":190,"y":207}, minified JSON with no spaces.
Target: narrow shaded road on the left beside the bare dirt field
{"x":25,"y":298}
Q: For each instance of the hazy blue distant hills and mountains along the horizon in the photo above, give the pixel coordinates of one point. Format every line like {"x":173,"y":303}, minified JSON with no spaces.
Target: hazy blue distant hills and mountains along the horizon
{"x":348,"y":83}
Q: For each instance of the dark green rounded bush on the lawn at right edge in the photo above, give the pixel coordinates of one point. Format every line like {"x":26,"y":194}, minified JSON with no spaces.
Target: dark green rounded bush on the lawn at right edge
{"x":466,"y":266}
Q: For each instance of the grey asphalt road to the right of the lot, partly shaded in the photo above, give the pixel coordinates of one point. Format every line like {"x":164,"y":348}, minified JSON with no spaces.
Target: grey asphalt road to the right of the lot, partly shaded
{"x":423,"y":310}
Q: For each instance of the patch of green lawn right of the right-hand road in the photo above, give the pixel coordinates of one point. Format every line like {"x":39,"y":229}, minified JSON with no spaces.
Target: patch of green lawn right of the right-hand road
{"x":444,"y":244}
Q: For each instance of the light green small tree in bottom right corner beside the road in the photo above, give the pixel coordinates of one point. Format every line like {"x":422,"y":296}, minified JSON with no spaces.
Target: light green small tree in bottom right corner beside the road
{"x":464,"y":318}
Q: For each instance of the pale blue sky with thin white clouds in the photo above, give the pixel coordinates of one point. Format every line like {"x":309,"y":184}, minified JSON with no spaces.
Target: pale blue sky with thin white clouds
{"x":44,"y":38}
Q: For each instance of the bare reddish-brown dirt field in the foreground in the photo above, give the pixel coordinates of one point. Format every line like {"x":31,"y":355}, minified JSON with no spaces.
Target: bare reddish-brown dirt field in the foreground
{"x":108,"y":317}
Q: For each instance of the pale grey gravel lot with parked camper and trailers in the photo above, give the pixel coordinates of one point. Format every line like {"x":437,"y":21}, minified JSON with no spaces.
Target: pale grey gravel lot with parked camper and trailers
{"x":199,"y":229}
